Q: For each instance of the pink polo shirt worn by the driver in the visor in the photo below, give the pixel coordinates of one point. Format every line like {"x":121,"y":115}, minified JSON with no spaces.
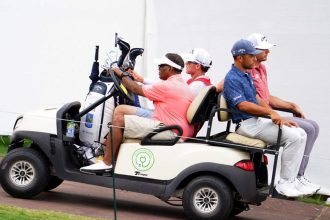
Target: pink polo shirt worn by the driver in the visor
{"x":171,"y":99}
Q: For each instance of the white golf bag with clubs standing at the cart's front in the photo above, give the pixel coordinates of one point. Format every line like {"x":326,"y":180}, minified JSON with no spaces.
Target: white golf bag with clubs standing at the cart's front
{"x":94,"y":124}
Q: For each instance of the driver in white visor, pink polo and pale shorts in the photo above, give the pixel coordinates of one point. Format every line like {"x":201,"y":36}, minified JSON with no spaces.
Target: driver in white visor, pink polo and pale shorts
{"x":171,"y":97}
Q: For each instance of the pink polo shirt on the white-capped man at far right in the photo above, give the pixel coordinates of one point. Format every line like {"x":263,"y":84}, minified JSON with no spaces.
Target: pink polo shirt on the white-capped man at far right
{"x":259,"y":75}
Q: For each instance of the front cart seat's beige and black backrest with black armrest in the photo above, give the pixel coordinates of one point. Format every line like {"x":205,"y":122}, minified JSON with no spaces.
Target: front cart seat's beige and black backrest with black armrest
{"x":197,"y":113}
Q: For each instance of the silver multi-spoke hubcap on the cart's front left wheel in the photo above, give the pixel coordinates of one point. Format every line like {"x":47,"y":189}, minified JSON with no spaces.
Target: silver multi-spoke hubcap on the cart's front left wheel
{"x":22,"y":173}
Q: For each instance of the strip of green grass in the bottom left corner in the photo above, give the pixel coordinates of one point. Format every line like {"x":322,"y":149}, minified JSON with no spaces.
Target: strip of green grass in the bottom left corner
{"x":13,"y":213}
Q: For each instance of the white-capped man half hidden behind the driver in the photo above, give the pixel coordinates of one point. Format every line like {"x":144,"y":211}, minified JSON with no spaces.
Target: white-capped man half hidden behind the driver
{"x":198,"y":63}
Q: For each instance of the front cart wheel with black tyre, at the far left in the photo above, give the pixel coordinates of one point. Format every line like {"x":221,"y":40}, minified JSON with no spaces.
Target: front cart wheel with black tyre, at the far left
{"x":24,"y":173}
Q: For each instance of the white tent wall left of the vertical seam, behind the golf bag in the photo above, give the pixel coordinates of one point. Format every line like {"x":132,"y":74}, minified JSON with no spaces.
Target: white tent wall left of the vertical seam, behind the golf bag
{"x":47,"y":48}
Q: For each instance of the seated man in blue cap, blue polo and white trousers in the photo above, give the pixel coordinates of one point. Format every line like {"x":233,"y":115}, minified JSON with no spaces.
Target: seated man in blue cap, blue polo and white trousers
{"x":241,"y":95}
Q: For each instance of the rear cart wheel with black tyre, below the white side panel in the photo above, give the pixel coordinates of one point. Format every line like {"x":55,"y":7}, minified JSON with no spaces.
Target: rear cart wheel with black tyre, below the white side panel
{"x":207,"y":197}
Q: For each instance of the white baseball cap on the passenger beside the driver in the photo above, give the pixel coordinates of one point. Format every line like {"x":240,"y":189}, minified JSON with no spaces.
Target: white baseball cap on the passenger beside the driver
{"x":198,"y":55}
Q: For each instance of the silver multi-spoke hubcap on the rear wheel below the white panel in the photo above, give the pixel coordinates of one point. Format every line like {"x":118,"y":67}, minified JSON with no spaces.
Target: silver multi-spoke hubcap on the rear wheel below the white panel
{"x":206,"y":200}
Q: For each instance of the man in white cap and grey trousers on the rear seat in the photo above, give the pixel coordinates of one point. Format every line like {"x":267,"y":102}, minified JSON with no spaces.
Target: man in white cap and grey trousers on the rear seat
{"x":259,"y":74}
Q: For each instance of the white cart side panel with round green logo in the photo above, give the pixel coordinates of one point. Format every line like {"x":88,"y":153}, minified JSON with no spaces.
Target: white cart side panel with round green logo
{"x":166,"y":162}
